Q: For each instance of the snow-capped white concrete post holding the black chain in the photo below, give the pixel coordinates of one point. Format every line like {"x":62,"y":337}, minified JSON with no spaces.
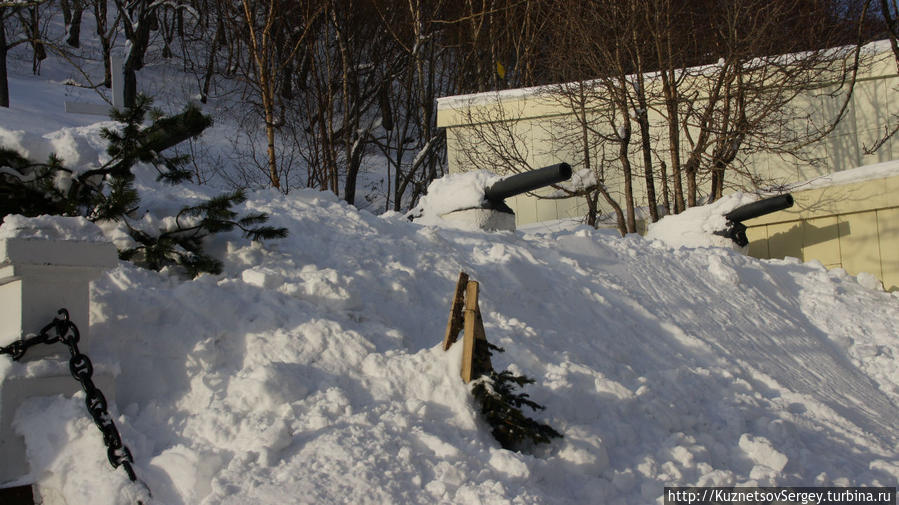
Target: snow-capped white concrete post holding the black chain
{"x":41,"y":271}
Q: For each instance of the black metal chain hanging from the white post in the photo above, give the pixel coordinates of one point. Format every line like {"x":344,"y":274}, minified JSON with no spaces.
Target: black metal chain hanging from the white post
{"x":61,"y":329}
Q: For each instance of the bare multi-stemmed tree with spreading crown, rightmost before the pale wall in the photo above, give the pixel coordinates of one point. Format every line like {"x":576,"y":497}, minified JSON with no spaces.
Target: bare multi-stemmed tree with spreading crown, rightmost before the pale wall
{"x":767,"y":60}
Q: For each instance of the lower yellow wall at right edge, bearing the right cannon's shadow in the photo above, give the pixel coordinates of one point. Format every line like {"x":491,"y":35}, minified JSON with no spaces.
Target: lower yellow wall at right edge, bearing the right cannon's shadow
{"x":853,"y":226}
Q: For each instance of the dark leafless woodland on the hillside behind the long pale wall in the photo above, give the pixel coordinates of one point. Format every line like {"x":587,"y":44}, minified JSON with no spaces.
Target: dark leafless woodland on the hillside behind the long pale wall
{"x":324,"y":85}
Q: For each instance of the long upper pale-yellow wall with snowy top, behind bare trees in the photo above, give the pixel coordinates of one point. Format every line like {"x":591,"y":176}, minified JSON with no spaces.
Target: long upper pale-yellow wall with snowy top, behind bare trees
{"x":537,"y":123}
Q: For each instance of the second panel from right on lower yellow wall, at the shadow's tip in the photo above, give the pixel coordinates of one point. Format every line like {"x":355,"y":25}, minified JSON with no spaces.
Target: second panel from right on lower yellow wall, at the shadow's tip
{"x":858,"y":243}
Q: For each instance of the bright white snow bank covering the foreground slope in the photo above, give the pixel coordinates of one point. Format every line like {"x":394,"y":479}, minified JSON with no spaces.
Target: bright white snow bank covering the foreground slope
{"x":310,"y":371}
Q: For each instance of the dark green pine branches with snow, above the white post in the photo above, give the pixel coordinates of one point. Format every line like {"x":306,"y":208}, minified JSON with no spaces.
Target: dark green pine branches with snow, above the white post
{"x":107,"y":193}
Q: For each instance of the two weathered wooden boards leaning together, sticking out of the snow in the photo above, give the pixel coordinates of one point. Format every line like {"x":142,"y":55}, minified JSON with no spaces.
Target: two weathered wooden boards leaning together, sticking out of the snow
{"x":466,"y":315}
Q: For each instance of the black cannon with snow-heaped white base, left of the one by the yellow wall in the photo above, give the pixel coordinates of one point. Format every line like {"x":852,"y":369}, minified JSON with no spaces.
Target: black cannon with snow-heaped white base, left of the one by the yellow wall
{"x":476,"y":199}
